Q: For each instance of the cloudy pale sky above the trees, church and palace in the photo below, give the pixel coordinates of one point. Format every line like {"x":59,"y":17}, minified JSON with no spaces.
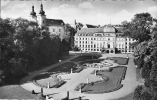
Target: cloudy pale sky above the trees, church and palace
{"x":96,"y":12}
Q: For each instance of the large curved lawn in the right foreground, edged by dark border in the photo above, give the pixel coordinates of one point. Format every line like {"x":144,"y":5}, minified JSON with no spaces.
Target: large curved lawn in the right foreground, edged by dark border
{"x":111,"y":85}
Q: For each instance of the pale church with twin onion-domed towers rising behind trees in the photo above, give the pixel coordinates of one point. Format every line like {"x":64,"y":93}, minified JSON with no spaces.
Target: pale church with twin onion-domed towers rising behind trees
{"x":56,"y":26}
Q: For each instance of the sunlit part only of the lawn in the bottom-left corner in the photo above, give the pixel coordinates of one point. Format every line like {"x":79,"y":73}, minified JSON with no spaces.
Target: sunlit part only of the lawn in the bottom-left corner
{"x":15,"y":92}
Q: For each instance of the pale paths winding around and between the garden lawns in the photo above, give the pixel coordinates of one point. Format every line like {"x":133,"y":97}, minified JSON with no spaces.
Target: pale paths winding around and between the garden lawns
{"x":74,"y":79}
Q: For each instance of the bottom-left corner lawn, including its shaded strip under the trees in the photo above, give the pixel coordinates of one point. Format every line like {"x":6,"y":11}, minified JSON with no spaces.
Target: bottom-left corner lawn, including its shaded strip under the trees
{"x":12,"y":90}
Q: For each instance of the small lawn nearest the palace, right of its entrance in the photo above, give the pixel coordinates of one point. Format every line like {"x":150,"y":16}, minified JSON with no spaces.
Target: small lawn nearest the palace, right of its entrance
{"x":119,"y":60}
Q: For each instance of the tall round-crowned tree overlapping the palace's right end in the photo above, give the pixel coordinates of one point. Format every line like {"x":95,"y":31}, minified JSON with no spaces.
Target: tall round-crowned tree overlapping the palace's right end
{"x":139,"y":27}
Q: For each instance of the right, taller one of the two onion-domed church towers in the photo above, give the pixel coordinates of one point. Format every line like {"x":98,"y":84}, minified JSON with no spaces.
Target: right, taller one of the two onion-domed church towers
{"x":41,"y":16}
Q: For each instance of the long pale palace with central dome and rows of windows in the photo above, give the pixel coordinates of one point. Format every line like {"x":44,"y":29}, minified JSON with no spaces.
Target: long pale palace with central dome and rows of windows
{"x":107,"y":39}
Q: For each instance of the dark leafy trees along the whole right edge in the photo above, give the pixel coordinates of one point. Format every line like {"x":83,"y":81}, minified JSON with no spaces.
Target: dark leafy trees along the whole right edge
{"x":142,"y":29}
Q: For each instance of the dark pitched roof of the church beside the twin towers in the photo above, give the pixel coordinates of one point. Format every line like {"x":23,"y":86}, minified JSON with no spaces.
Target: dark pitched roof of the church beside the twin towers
{"x":54,"y":22}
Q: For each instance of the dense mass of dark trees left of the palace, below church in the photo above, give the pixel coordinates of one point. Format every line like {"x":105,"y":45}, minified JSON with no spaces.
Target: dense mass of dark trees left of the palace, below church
{"x":25,"y":47}
